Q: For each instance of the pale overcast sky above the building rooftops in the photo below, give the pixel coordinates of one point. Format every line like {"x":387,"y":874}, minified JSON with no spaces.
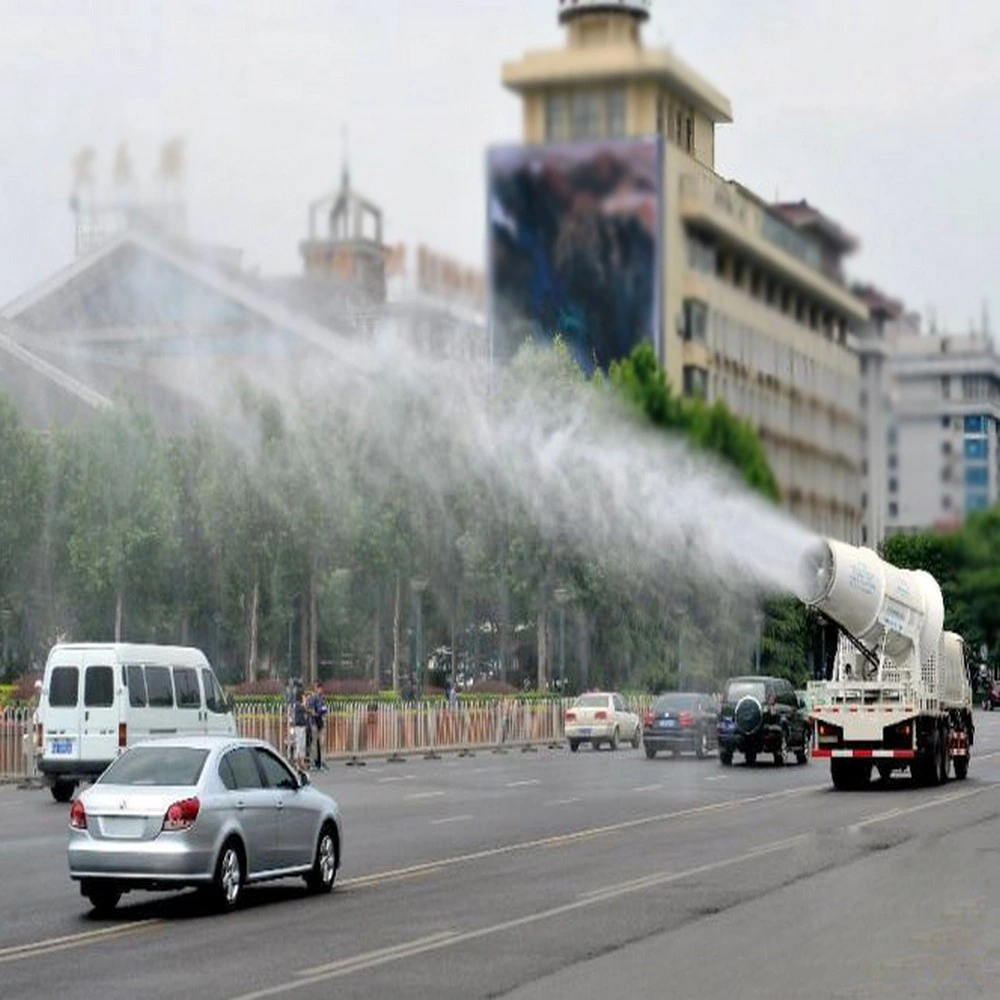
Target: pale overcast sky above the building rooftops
{"x":883,"y":113}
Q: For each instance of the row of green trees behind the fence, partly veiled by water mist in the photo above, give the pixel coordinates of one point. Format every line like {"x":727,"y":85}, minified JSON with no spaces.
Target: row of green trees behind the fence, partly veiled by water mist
{"x":270,"y":550}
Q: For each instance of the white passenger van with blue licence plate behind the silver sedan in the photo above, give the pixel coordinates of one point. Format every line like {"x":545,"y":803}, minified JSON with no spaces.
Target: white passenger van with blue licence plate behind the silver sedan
{"x":98,"y":698}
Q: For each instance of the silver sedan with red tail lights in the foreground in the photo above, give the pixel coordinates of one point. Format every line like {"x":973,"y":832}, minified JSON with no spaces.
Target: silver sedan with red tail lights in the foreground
{"x":210,"y":811}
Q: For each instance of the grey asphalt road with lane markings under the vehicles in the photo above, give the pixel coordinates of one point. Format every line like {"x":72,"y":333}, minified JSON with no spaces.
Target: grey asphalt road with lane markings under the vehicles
{"x":549,"y":875}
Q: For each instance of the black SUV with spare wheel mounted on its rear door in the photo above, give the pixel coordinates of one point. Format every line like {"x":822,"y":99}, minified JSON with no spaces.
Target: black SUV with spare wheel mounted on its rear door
{"x":762,"y":715}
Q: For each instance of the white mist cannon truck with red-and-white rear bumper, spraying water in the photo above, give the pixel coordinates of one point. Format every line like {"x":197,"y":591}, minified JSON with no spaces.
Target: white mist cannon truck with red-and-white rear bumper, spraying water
{"x":899,"y":695}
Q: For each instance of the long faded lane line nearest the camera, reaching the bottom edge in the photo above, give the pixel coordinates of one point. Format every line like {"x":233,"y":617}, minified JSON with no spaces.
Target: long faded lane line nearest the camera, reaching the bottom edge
{"x":447,"y":939}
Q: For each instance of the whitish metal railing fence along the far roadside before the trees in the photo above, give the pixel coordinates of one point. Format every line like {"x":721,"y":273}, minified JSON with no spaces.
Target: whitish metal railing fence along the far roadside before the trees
{"x":356,"y":728}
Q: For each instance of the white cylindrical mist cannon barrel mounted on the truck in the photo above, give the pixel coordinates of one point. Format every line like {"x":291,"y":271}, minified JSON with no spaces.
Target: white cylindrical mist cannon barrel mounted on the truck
{"x":896,"y":614}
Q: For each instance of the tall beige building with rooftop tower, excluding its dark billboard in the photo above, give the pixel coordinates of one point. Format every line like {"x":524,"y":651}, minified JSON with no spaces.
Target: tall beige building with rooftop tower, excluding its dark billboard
{"x":753,"y":309}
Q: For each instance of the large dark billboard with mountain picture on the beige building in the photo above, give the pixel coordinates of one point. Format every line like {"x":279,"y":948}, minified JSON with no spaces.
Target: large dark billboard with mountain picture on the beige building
{"x":574,"y":238}
